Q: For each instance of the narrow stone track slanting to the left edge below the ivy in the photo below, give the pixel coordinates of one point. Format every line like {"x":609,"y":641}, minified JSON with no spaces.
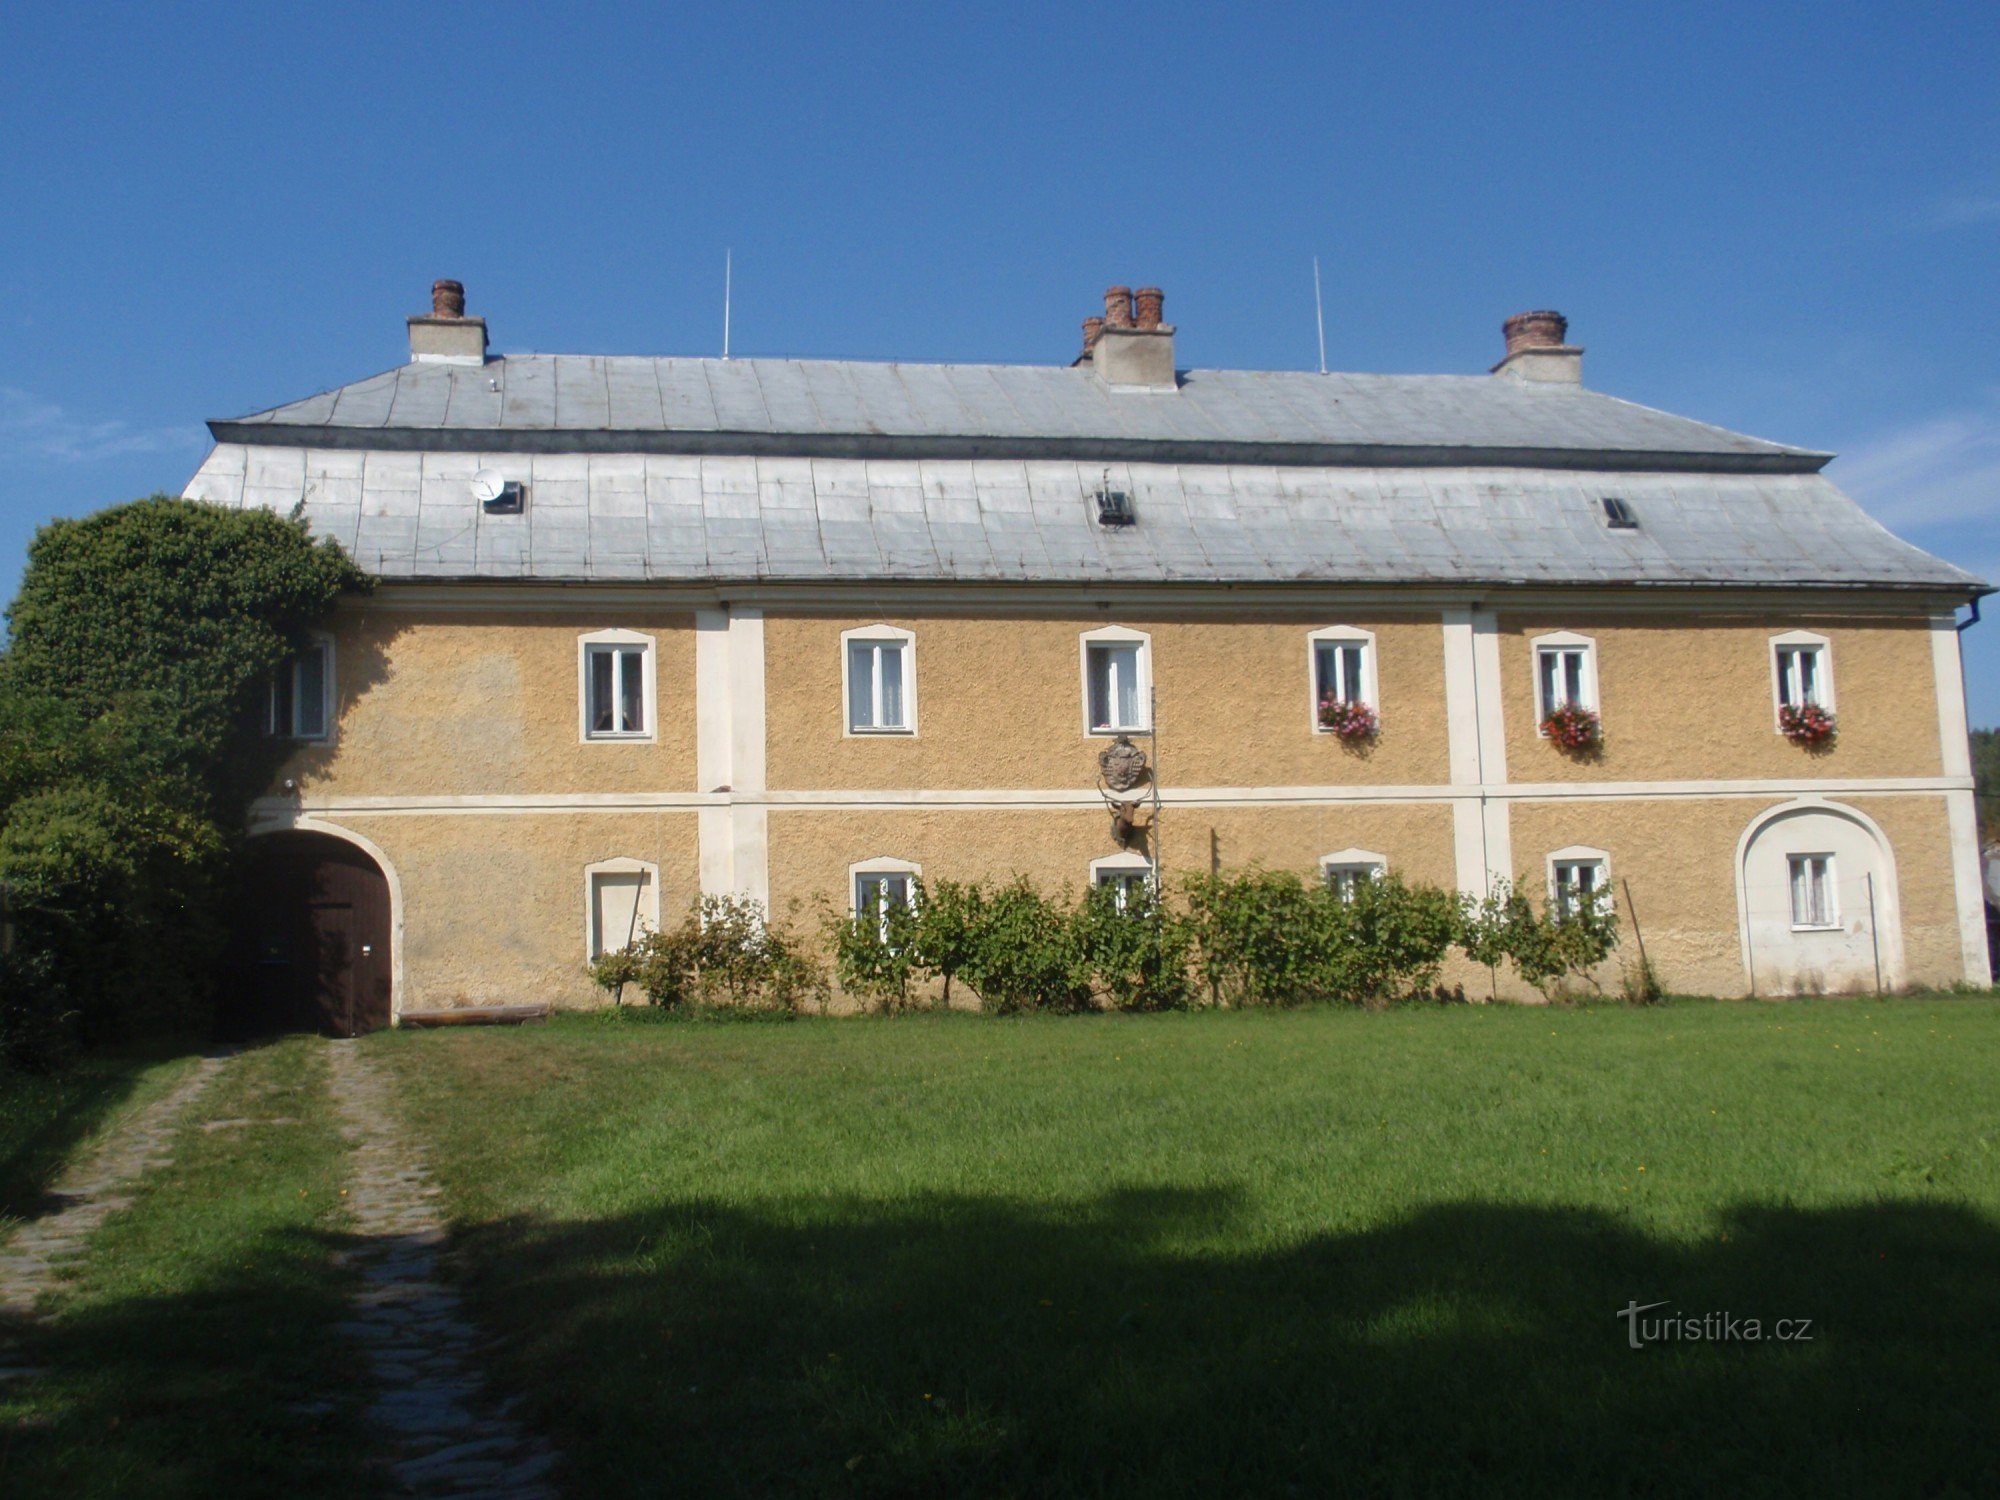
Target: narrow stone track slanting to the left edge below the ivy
{"x":93,"y":1191}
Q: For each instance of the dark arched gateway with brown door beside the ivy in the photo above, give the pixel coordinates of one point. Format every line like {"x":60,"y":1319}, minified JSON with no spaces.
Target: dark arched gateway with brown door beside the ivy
{"x":313,"y":951}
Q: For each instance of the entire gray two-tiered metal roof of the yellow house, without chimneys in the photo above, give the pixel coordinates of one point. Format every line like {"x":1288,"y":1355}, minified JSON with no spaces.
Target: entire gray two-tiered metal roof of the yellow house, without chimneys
{"x":819,"y":471}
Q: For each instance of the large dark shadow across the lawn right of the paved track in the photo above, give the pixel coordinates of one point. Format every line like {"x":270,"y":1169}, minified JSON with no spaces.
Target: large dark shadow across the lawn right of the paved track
{"x":979,"y":1347}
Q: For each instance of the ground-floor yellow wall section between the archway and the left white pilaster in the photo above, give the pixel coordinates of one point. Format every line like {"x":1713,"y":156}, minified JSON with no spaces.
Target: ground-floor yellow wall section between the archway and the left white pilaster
{"x":495,"y":907}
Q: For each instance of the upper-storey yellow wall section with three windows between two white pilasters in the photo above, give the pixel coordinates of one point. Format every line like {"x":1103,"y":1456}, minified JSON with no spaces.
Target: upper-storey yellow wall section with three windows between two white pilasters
{"x":1001,"y":705}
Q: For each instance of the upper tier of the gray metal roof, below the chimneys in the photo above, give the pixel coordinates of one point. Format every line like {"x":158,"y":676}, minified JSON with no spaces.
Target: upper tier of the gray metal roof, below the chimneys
{"x":843,"y":409}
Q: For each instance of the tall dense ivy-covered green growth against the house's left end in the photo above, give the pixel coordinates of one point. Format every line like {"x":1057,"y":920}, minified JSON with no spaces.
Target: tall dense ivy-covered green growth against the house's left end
{"x":131,"y":743}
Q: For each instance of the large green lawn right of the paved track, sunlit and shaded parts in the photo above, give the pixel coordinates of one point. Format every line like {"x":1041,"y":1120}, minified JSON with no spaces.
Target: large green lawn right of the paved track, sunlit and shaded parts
{"x":1233,"y":1255}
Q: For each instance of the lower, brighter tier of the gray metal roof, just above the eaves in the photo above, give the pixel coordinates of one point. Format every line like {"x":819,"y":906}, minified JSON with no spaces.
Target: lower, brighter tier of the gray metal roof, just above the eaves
{"x":723,"y":519}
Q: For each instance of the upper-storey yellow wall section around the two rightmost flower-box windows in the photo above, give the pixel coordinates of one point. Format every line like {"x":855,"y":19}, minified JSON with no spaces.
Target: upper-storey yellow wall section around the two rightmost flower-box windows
{"x":1693,"y":699}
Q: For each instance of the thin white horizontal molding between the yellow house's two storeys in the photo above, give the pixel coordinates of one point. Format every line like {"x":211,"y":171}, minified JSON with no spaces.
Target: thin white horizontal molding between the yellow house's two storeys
{"x":1193,"y":797}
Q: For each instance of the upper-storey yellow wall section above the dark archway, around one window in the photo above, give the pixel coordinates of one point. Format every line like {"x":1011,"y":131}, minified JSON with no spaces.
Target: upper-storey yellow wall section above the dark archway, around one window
{"x":489,"y":703}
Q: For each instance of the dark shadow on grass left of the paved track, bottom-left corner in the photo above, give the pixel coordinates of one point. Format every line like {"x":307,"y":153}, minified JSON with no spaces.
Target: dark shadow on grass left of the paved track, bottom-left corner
{"x":237,"y":1389}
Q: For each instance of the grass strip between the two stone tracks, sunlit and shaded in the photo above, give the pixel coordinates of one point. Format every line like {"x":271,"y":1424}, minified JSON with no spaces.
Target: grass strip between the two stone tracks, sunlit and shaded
{"x":195,"y":1351}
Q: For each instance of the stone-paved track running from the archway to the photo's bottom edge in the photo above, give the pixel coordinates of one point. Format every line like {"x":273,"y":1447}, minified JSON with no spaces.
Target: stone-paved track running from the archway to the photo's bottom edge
{"x":423,"y":1349}
